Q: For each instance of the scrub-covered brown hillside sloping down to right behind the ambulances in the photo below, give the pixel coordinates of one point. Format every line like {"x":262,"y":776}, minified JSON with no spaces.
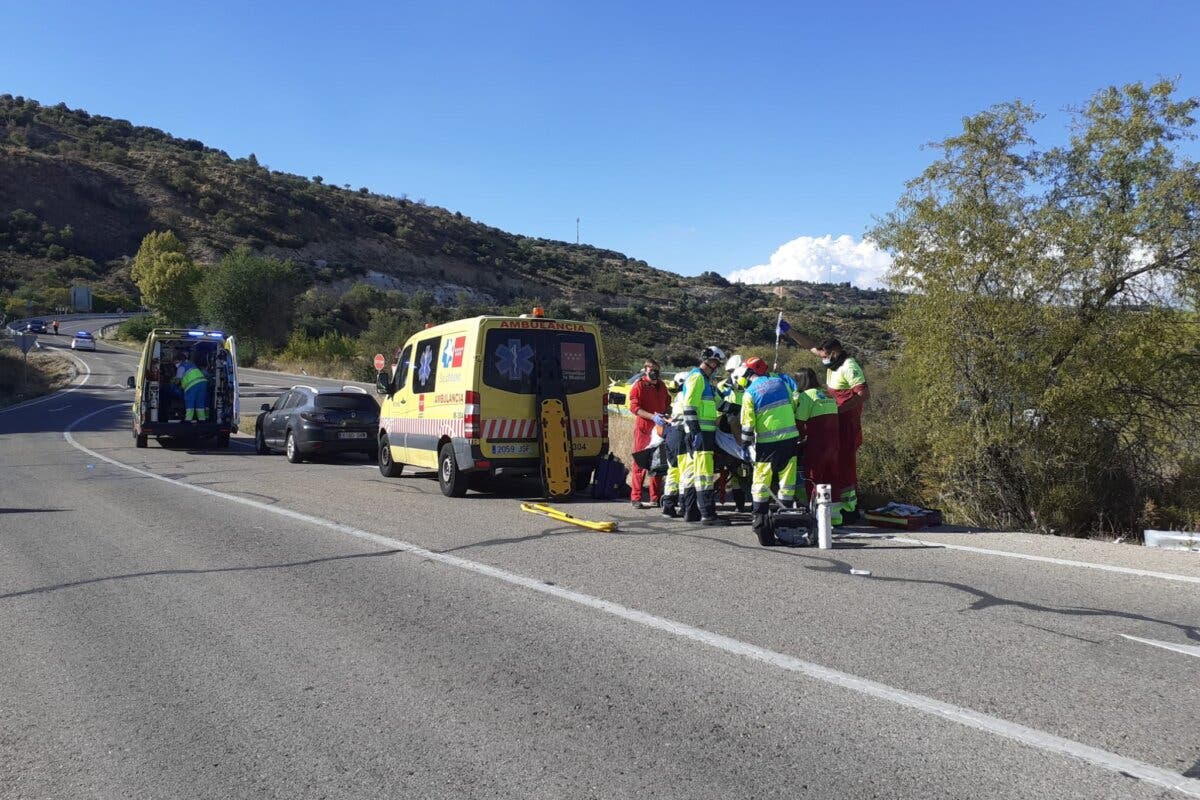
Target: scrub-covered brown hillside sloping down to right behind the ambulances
{"x":80,"y":191}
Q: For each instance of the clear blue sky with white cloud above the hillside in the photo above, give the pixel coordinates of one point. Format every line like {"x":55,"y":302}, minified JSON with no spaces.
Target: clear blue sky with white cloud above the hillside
{"x":695,"y":136}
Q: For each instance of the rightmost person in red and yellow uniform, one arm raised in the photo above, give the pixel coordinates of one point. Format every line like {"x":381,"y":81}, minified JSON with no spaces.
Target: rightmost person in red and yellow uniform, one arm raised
{"x":848,"y":384}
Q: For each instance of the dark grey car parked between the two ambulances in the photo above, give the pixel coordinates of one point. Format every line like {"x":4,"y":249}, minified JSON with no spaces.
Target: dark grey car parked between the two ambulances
{"x":305,"y":423}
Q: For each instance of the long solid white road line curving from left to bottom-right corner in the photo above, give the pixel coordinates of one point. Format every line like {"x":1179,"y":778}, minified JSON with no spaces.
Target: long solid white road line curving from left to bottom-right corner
{"x":1013,"y":731}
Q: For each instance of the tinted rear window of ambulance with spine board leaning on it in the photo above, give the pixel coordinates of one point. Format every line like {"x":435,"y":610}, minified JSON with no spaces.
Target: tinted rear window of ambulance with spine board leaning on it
{"x":512,"y":356}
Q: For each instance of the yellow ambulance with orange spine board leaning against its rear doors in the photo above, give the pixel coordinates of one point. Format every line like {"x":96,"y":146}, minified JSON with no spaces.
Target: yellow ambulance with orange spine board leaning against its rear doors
{"x":460,"y":399}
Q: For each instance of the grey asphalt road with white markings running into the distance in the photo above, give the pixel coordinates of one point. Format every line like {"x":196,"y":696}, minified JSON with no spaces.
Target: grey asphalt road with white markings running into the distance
{"x":181,"y":623}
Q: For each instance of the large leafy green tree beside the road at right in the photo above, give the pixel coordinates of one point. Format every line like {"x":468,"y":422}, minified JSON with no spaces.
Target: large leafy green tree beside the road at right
{"x":1049,"y":341}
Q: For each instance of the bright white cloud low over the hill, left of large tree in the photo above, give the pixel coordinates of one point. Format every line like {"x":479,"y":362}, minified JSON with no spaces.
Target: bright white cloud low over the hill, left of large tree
{"x":823,"y":260}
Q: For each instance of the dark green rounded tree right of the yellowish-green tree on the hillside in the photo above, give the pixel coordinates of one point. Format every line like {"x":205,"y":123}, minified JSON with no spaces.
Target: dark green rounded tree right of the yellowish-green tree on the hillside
{"x":251,"y":297}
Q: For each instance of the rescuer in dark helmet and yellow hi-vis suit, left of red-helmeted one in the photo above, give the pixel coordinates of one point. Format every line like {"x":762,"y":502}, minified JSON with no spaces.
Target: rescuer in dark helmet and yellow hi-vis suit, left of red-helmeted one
{"x":700,"y":423}
